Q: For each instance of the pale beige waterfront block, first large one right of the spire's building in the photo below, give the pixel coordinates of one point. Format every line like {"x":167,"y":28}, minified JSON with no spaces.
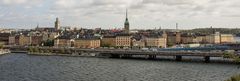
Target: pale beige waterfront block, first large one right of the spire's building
{"x":159,"y":42}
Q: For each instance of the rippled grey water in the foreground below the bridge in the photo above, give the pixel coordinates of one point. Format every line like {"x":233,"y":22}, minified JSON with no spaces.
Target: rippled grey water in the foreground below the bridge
{"x":22,"y":67}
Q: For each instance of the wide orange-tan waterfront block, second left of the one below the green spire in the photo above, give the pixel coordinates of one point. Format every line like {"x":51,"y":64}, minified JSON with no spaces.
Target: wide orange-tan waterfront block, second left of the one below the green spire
{"x":87,"y":43}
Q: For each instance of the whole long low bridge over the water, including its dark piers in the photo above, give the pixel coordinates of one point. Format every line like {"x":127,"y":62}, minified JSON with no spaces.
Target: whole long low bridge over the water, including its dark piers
{"x":121,"y":53}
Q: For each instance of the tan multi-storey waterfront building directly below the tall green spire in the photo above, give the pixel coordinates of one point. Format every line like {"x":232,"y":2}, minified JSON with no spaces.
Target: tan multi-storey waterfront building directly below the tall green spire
{"x":123,"y":40}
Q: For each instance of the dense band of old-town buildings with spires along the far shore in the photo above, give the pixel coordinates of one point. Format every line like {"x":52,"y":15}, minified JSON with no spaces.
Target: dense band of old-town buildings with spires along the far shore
{"x":116,"y":38}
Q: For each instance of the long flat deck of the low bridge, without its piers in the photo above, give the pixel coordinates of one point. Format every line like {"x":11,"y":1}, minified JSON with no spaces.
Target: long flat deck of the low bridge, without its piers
{"x":137,"y":52}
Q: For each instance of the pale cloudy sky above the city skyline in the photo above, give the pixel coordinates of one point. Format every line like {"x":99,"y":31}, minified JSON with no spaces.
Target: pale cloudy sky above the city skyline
{"x":108,"y":14}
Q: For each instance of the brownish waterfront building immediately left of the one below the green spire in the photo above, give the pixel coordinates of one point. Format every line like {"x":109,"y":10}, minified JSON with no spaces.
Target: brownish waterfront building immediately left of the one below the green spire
{"x":108,"y":41}
